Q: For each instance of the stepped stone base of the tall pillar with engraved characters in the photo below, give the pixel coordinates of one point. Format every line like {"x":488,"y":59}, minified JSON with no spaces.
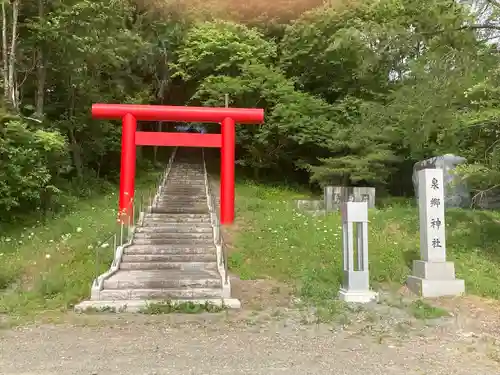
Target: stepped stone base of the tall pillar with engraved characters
{"x":435,"y":279}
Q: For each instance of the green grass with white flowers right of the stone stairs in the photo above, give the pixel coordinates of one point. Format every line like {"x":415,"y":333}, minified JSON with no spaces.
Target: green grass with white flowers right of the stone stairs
{"x":278,"y":241}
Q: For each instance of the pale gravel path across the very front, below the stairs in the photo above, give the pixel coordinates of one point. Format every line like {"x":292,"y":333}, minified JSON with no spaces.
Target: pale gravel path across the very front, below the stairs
{"x":159,"y":345}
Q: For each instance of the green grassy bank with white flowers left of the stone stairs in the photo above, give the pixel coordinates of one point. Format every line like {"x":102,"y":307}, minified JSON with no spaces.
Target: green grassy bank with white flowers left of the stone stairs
{"x":50,"y":267}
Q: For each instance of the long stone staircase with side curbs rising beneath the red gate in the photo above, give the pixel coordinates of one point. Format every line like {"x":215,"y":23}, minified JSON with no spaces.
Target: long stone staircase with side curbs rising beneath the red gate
{"x":174,"y":253}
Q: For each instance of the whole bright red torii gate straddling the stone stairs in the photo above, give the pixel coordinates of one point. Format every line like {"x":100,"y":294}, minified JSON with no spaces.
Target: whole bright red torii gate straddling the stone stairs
{"x":131,"y":113}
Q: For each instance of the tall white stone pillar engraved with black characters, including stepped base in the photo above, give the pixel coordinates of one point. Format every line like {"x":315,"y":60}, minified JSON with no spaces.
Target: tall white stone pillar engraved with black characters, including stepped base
{"x":433,"y":276}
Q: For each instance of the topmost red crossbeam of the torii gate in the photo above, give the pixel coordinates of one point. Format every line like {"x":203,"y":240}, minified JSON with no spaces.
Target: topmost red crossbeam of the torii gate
{"x":177,"y":113}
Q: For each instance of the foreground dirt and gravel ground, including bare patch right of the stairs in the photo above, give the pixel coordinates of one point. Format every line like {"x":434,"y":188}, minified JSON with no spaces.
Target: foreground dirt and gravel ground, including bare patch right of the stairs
{"x":268,"y":336}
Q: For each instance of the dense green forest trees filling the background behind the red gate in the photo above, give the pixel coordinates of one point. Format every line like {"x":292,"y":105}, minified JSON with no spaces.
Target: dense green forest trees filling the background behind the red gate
{"x":354,"y":92}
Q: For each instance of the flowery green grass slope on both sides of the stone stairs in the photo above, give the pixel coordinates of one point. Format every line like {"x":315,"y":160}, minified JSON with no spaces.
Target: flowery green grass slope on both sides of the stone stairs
{"x":49,"y":268}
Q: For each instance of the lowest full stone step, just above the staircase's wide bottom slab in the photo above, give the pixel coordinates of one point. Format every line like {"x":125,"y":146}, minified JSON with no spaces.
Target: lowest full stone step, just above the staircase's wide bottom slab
{"x":160,"y":294}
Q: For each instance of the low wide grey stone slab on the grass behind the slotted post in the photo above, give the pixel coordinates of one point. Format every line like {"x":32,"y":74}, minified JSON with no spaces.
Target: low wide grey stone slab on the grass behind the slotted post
{"x":334,"y":196}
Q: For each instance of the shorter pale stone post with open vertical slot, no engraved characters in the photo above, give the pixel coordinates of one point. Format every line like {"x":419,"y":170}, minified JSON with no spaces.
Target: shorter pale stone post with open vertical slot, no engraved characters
{"x":356,"y":281}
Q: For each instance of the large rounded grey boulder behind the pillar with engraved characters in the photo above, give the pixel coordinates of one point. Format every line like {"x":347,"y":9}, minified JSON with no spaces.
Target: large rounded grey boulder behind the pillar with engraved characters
{"x":456,"y":192}
